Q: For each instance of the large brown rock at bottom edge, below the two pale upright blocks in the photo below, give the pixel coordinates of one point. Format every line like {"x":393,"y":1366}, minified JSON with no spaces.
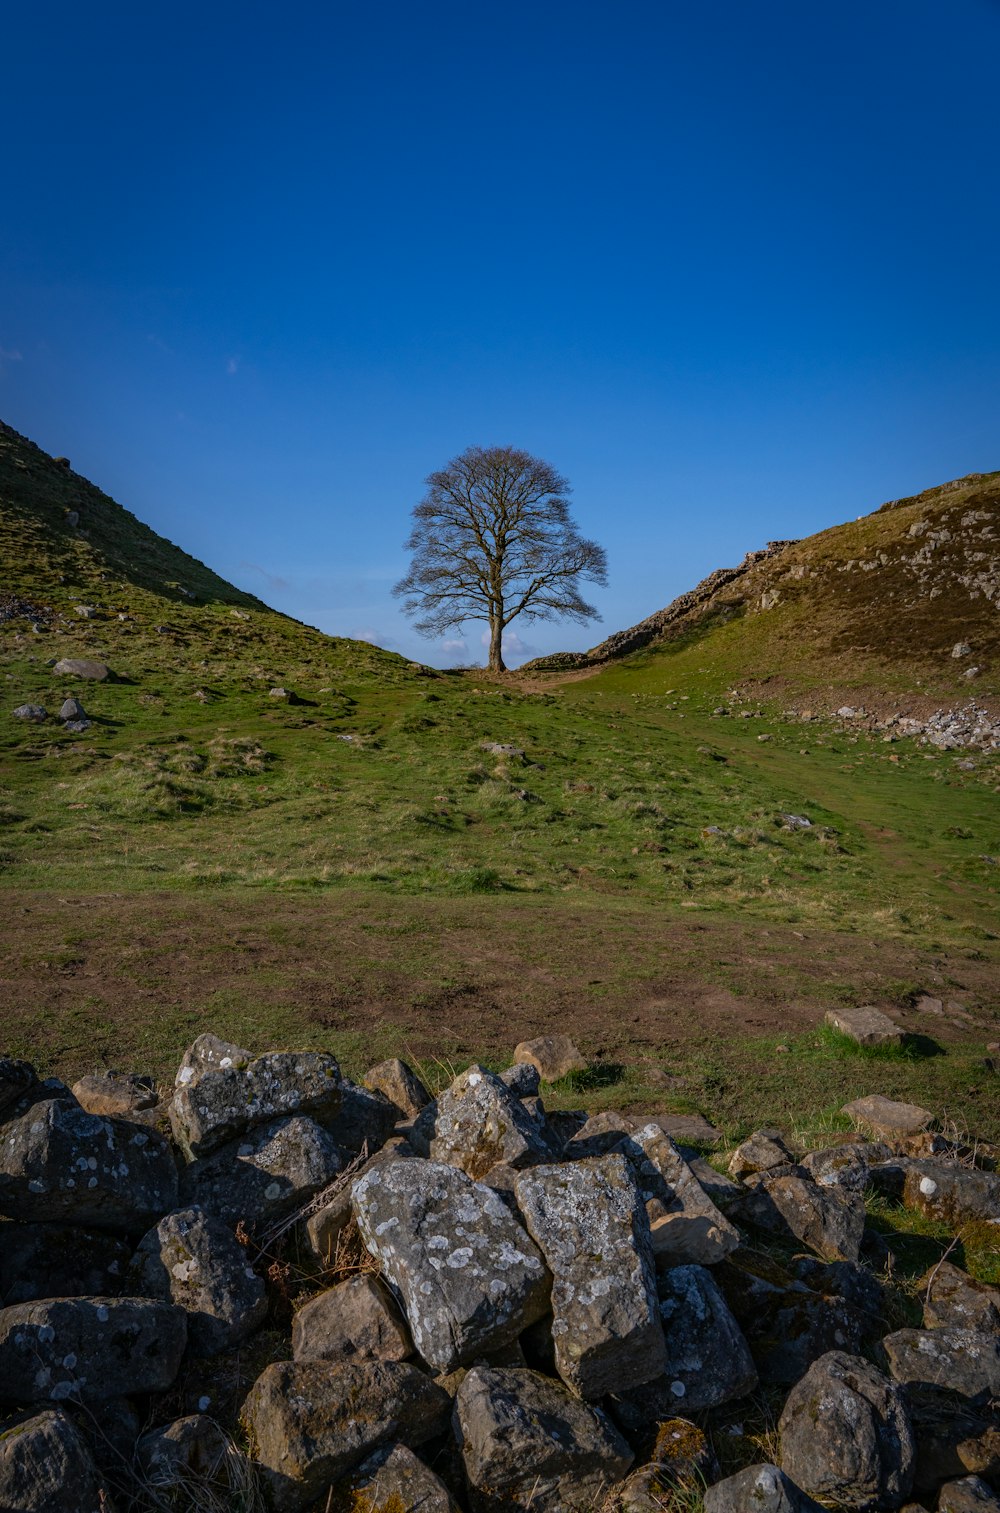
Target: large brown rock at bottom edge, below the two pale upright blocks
{"x":527,"y":1443}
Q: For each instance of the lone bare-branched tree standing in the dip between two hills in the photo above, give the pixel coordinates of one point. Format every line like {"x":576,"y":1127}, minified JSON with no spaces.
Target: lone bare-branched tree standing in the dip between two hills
{"x":492,"y":541}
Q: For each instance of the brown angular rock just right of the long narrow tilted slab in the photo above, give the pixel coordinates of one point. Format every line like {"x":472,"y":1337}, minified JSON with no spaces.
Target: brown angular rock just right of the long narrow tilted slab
{"x":828,"y":1220}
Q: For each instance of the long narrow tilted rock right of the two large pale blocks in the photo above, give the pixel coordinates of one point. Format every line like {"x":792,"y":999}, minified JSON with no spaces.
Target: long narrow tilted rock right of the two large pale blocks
{"x":685,"y":1223}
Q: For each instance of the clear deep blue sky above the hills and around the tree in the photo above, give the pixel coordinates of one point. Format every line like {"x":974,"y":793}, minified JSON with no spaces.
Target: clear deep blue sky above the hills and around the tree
{"x":733,"y":269}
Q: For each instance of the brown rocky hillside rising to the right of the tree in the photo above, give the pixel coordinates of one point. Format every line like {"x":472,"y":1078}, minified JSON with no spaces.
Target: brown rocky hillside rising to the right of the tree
{"x":892,"y":594}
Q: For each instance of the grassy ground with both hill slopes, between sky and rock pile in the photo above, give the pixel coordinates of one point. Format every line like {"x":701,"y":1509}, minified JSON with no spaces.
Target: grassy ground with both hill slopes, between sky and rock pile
{"x":387,"y":859}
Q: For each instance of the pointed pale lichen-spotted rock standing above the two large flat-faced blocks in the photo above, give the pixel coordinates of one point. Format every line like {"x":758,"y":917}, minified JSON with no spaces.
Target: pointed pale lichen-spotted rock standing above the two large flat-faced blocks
{"x":480,"y":1123}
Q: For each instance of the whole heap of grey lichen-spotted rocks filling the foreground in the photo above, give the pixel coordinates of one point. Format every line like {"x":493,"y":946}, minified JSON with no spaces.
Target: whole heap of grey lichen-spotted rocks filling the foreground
{"x":535,"y":1299}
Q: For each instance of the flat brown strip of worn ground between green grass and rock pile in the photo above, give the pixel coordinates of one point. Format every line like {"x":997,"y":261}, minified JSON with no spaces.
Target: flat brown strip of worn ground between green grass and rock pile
{"x":126,"y":981}
